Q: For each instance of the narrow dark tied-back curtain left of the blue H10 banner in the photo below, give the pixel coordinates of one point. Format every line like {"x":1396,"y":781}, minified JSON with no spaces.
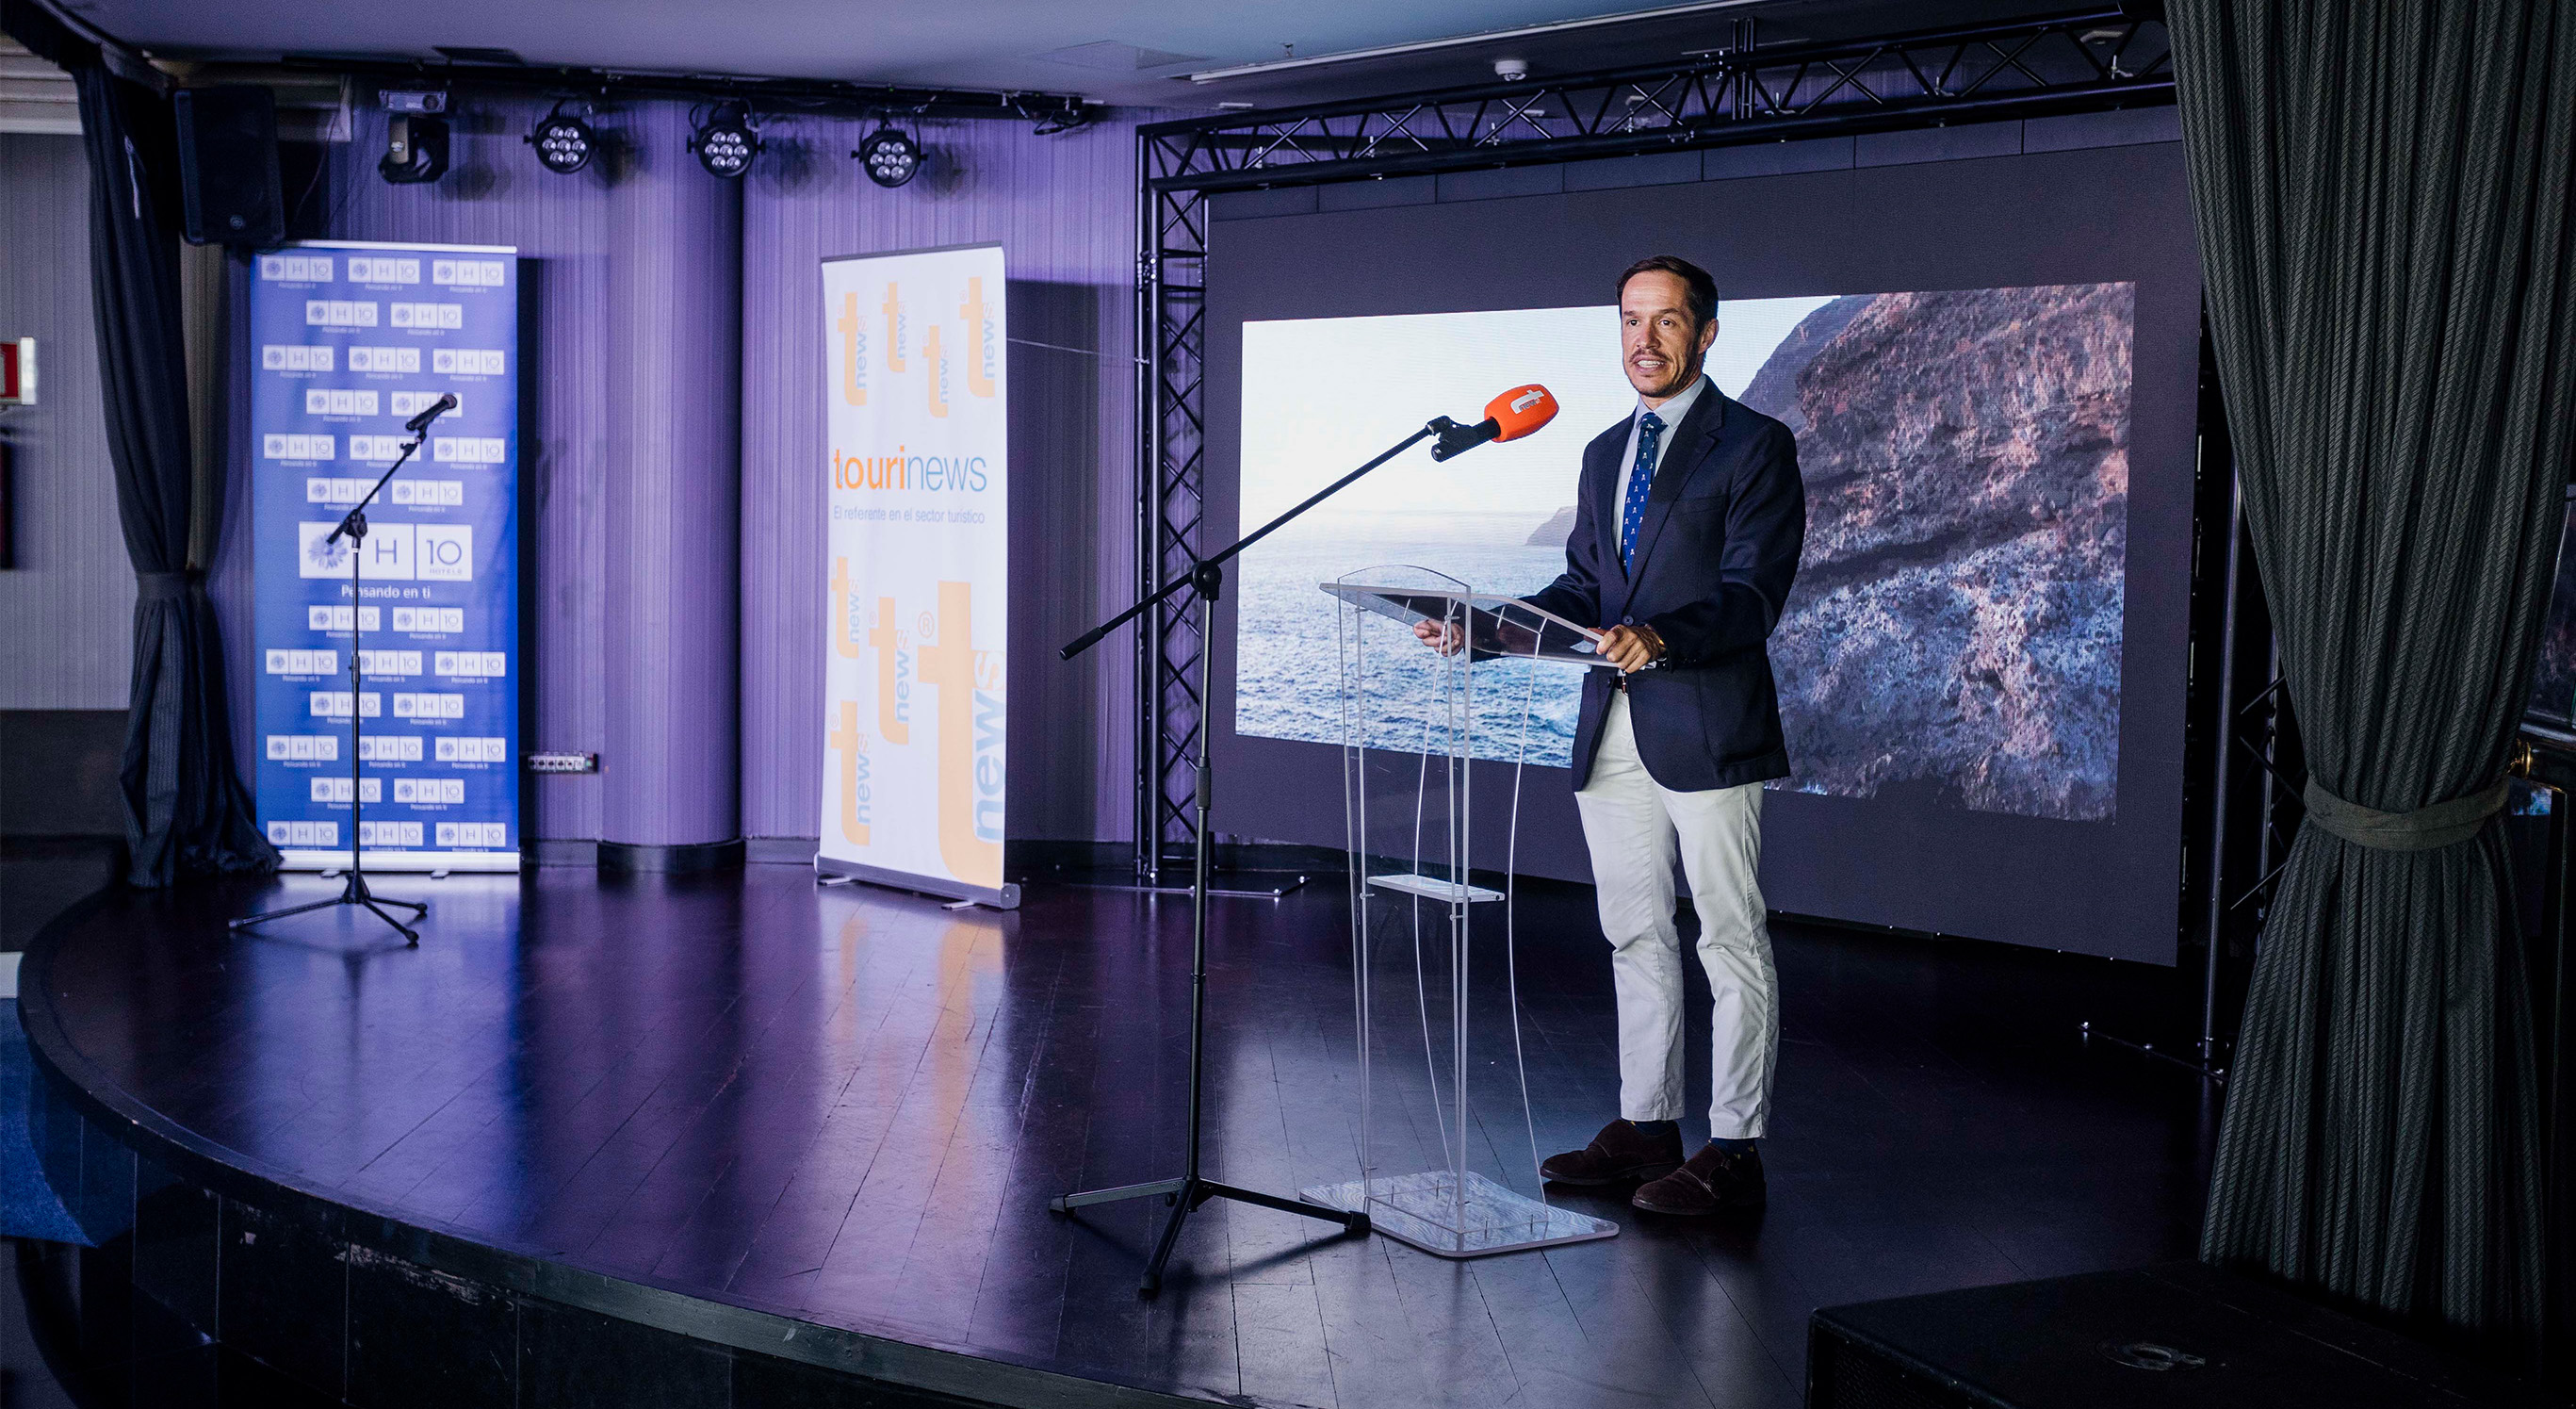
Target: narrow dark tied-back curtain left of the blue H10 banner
{"x":187,"y":808}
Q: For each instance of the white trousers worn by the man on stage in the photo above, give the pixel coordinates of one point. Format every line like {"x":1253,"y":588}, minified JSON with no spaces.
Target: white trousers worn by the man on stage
{"x":1634,"y":826}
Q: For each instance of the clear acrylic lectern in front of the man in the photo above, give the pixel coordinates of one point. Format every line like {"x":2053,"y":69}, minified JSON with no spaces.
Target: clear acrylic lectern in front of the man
{"x":1413,"y":725}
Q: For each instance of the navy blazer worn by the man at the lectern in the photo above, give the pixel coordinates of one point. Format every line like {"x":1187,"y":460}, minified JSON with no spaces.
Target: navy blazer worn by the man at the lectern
{"x":1714,"y":560}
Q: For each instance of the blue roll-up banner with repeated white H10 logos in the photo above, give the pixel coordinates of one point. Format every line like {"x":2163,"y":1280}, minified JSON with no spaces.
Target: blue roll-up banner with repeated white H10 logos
{"x":354,"y":341}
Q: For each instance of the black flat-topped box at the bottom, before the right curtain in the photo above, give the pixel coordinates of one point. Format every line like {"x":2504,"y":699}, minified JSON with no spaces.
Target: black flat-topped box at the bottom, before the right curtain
{"x":2157,"y":1338}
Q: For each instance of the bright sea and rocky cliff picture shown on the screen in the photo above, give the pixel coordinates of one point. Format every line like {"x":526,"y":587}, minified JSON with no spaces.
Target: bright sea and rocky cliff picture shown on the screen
{"x":1954,"y":635}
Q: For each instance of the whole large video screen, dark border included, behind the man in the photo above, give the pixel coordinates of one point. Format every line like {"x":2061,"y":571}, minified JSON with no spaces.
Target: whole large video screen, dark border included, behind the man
{"x":1993,"y":370}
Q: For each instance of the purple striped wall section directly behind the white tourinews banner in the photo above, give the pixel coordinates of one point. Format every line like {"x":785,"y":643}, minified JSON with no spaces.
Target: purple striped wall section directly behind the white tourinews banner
{"x":1063,"y":210}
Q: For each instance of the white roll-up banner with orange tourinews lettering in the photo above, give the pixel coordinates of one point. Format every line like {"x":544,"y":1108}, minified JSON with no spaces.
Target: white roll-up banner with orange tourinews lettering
{"x":916,"y":630}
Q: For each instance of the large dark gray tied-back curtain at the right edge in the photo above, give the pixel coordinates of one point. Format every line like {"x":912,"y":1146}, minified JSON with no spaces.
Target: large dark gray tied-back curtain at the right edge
{"x":2384,"y":205}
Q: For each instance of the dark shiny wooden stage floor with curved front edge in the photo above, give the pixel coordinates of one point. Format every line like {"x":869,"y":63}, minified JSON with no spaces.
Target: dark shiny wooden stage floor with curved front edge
{"x":851,"y":1106}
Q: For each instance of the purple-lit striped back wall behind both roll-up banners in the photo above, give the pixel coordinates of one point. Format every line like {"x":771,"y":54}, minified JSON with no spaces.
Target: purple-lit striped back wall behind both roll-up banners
{"x":1065,"y":213}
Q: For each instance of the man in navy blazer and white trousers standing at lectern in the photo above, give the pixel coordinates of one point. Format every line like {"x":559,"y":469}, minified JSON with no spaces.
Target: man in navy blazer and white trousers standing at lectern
{"x":1686,"y":540}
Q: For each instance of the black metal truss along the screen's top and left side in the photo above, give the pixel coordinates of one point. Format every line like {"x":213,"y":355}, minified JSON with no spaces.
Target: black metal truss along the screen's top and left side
{"x":1727,"y":97}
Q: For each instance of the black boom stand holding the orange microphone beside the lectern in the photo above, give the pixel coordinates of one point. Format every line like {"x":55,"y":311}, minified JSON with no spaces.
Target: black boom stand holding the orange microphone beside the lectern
{"x":1207,"y":581}
